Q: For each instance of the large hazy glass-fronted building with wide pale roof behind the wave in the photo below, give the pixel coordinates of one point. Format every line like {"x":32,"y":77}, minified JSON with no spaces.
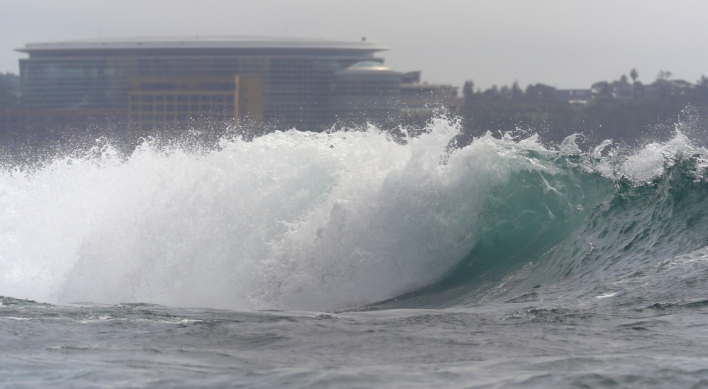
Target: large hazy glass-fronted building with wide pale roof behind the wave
{"x":295,"y":78}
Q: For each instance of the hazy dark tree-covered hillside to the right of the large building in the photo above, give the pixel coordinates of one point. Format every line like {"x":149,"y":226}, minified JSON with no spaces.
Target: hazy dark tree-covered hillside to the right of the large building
{"x":625,"y":110}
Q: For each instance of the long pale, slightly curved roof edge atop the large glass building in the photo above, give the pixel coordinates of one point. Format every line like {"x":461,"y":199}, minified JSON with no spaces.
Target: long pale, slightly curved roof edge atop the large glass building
{"x":197,"y":42}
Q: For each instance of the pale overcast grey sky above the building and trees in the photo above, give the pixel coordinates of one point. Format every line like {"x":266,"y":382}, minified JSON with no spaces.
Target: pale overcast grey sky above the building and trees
{"x":564,"y":43}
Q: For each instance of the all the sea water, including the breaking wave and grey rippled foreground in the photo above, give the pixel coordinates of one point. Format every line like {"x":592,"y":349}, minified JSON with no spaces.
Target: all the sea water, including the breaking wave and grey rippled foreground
{"x":358,"y":259}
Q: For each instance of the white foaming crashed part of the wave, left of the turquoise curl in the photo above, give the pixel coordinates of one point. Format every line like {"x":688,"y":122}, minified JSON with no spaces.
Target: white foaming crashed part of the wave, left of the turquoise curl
{"x":290,"y":220}
